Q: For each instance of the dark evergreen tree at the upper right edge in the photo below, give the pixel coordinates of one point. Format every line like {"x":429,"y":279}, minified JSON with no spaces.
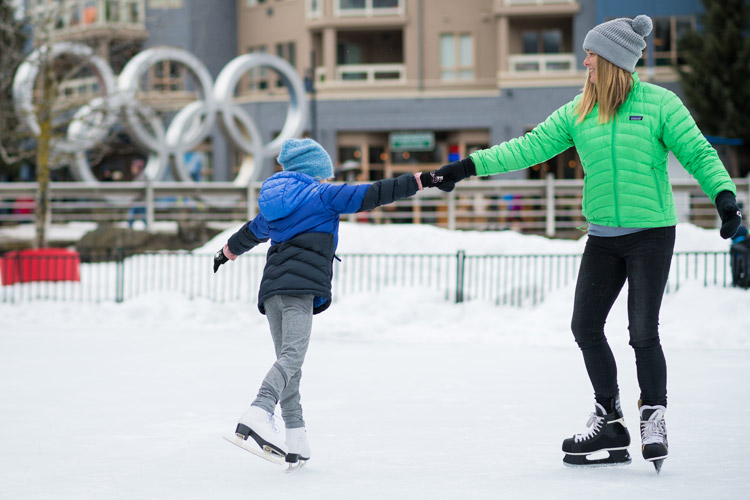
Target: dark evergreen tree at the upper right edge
{"x":716,"y":77}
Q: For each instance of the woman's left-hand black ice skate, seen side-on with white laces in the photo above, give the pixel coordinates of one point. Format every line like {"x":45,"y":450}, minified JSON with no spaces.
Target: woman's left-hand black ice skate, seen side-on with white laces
{"x":605,"y":442}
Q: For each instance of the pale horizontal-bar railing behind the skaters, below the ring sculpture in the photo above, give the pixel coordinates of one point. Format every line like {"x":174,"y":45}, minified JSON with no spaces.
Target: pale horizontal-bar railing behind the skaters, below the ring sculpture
{"x":548,"y":206}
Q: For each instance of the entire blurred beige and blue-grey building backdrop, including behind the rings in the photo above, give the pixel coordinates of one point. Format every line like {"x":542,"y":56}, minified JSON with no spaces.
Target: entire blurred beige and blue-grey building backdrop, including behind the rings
{"x":394,"y":85}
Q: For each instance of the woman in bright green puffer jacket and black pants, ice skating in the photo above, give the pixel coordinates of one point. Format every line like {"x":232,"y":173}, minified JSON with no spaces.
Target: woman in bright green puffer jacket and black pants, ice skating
{"x":623,"y":129}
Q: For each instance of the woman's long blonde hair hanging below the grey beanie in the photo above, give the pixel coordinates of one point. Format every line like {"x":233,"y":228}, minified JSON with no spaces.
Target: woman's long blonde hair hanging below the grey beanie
{"x":612,"y":87}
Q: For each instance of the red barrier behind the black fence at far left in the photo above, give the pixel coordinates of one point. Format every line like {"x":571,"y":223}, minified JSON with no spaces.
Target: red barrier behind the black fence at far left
{"x":41,"y":264}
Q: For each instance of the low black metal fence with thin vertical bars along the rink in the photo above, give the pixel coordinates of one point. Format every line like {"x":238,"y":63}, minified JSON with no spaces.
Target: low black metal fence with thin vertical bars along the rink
{"x":505,"y":280}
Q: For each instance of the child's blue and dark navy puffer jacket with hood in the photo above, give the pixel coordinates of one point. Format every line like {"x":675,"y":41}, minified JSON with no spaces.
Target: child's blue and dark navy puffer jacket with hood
{"x":301,"y":218}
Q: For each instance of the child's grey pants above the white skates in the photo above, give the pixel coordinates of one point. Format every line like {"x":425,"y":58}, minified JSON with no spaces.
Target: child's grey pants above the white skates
{"x":290,"y":319}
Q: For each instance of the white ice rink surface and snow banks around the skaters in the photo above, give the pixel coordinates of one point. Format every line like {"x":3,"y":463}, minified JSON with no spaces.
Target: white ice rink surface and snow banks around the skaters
{"x":407,"y":395}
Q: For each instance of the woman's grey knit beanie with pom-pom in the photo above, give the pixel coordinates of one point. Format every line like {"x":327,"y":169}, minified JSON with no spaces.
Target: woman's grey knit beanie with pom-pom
{"x":620,"y":41}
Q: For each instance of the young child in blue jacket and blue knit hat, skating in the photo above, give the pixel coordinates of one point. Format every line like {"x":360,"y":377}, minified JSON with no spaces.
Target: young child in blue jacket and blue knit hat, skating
{"x":300,"y":214}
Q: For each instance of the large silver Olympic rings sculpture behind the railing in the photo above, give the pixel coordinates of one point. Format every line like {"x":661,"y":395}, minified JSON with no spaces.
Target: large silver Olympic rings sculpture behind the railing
{"x":190,"y":126}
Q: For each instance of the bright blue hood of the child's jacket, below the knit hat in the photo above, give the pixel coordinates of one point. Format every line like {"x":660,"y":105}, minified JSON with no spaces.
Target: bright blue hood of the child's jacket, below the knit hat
{"x":284,"y":192}
